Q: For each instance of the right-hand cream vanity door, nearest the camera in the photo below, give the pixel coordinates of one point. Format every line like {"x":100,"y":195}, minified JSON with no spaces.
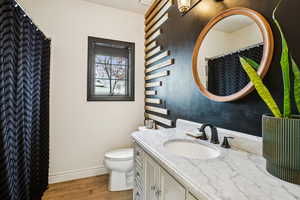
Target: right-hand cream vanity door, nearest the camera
{"x":170,"y":189}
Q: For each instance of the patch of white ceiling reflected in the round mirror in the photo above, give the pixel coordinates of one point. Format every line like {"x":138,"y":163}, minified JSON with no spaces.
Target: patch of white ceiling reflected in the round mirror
{"x":233,"y":23}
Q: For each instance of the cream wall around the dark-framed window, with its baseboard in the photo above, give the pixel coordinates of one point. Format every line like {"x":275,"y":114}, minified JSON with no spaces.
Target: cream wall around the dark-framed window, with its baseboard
{"x":80,"y":131}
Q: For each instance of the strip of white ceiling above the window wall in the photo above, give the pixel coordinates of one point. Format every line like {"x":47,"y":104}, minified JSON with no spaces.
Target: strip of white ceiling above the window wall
{"x":137,"y":6}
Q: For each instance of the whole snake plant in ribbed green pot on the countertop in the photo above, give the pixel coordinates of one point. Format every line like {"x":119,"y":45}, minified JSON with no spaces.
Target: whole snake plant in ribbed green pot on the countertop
{"x":281,"y":131}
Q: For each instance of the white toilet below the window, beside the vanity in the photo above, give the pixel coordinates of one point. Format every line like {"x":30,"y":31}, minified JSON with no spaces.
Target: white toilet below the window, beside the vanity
{"x":120,"y":165}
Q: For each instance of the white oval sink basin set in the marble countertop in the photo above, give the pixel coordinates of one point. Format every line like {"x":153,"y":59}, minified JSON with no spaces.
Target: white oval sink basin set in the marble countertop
{"x":191,"y":149}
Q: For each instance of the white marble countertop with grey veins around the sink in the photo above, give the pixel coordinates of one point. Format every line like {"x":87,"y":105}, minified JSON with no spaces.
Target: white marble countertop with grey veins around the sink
{"x":234,"y":175}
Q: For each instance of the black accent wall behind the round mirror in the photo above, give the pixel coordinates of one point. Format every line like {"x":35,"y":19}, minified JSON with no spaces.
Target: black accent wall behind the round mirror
{"x":181,"y":95}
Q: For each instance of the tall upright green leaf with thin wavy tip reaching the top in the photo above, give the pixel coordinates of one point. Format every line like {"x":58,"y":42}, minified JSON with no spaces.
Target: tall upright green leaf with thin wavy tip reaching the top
{"x":285,"y":66}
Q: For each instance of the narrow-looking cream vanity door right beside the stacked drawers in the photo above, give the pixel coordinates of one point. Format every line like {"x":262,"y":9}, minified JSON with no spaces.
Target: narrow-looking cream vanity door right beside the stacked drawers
{"x":151,"y":179}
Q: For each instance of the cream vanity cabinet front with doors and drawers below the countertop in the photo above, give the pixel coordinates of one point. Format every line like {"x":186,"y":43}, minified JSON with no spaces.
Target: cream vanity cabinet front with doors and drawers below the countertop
{"x":152,"y":182}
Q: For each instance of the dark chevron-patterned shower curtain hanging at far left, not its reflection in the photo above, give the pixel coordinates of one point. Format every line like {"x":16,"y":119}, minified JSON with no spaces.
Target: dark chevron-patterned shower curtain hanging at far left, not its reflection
{"x":24,"y":105}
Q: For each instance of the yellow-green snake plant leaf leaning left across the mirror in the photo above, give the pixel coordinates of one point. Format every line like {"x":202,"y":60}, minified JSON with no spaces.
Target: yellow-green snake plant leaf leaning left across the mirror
{"x":262,"y":90}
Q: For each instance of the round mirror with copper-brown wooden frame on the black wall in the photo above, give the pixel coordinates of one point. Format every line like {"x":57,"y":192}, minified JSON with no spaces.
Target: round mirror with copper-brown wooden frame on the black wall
{"x":234,"y":33}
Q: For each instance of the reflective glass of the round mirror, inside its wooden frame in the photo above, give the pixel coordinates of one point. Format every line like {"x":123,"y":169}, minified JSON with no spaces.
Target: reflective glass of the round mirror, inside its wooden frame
{"x":218,"y":65}
